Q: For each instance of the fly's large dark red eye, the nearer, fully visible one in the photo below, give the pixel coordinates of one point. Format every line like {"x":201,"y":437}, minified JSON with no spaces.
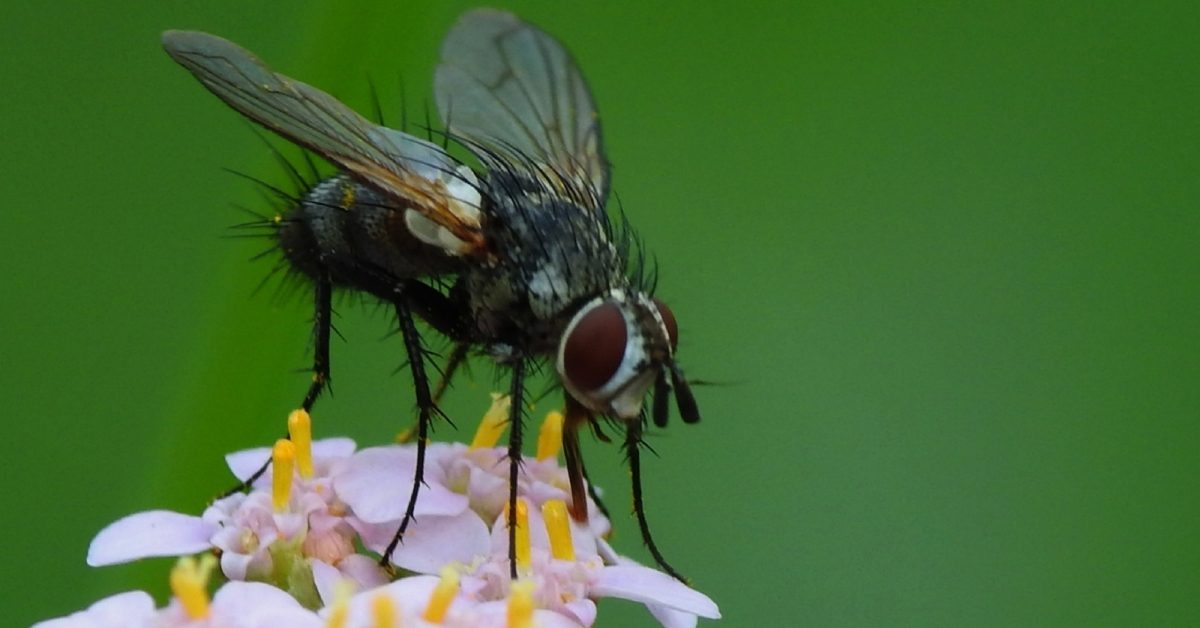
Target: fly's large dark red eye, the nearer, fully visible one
{"x":596,"y":348}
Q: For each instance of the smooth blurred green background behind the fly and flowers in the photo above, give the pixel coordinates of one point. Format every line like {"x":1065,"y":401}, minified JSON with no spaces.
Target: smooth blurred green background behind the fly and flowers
{"x":945,"y":258}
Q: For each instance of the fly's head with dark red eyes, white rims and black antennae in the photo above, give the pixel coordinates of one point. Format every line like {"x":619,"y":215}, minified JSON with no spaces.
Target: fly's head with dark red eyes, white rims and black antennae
{"x":615,"y":349}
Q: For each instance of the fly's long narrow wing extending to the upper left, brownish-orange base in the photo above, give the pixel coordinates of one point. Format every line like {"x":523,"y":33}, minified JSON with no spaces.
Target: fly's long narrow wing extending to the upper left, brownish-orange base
{"x":443,"y":193}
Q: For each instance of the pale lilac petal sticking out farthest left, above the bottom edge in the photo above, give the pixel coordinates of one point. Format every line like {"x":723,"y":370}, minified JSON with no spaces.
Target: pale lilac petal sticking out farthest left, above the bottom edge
{"x":151,"y":534}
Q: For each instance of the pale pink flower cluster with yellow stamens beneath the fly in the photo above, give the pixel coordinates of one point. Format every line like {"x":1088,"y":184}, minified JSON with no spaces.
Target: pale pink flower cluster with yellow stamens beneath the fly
{"x":295,"y":549}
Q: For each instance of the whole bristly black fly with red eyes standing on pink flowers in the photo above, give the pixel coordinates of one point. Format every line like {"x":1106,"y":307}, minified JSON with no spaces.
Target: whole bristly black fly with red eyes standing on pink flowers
{"x":536,"y":270}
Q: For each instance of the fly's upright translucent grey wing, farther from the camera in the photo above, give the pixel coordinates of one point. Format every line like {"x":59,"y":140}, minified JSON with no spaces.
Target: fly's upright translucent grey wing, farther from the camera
{"x":515,"y":95}
